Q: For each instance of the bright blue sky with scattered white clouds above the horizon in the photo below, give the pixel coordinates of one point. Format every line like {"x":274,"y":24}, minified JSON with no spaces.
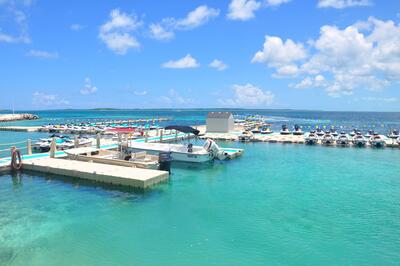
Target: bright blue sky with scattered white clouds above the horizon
{"x":272,"y":54}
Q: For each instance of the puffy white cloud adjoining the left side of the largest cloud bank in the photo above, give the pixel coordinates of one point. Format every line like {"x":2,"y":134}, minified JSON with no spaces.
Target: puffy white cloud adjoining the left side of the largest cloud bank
{"x":281,"y":55}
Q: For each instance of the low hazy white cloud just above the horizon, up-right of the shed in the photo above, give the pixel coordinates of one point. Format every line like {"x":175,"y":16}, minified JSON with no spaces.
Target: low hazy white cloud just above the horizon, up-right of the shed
{"x":249,"y":95}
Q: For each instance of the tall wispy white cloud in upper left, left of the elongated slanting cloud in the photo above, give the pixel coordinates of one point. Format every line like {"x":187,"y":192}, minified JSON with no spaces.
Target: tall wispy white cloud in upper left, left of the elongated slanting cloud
{"x":117,"y":32}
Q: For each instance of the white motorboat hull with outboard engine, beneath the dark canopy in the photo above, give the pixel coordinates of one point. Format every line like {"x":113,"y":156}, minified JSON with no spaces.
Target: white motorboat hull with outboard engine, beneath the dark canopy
{"x":180,"y":152}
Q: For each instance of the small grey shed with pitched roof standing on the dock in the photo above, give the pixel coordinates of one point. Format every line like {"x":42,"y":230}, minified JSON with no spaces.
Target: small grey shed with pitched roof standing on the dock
{"x":220,"y":122}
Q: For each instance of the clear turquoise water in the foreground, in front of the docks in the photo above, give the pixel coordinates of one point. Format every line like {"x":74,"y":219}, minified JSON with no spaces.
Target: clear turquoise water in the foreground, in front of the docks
{"x":278,"y":204}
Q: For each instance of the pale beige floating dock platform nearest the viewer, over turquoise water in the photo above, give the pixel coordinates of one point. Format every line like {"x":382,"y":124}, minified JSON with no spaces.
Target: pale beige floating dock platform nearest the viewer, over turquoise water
{"x":111,"y":174}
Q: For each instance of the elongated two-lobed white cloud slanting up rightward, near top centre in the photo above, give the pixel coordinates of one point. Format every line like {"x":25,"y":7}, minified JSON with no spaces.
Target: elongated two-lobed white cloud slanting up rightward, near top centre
{"x":165,"y":30}
